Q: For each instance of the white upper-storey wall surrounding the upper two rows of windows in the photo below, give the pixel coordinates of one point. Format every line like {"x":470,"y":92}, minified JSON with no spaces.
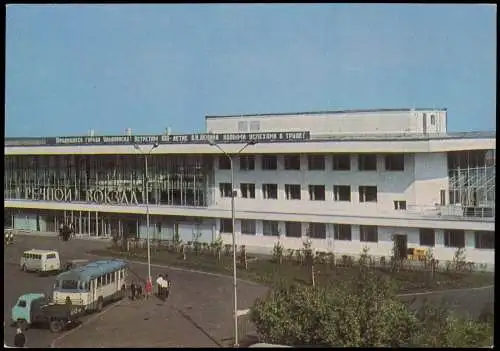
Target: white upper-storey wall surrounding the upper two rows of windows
{"x":419,"y":185}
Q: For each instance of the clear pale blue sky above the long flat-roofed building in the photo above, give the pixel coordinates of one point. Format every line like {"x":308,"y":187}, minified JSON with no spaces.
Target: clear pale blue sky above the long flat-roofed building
{"x":72,"y":68}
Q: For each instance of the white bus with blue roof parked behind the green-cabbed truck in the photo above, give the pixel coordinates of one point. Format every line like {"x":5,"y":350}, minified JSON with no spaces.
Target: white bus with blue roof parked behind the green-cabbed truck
{"x":92,"y":285}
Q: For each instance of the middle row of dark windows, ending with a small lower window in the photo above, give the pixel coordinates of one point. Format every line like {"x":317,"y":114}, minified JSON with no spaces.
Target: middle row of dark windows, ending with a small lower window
{"x":367,"y":193}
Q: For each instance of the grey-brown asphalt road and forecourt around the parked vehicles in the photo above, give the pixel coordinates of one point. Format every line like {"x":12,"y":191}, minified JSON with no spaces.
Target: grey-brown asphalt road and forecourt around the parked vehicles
{"x":199,"y":312}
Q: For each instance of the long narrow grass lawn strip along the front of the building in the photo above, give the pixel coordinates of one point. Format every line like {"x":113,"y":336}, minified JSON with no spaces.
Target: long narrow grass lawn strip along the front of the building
{"x":267,"y":272}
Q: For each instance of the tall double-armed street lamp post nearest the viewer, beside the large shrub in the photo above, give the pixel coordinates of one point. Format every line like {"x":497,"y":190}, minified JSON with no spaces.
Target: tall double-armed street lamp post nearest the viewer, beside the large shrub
{"x":233,"y":220}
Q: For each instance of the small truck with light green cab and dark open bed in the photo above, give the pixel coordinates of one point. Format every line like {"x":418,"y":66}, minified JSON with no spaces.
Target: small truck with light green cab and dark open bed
{"x":35,"y":308}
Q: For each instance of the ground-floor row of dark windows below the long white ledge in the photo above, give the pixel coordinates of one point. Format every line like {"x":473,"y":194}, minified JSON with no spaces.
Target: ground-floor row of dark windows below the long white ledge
{"x":367,"y":233}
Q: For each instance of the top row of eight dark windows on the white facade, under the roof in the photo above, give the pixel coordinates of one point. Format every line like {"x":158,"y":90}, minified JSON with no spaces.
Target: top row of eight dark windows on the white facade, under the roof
{"x":340,"y":162}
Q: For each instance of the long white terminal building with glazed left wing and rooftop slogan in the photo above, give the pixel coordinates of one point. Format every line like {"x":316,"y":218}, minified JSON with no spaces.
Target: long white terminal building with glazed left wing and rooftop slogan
{"x":345,"y":179}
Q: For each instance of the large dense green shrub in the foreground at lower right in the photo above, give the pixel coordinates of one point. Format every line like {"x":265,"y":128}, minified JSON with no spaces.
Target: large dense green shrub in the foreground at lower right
{"x":362,"y":313}
